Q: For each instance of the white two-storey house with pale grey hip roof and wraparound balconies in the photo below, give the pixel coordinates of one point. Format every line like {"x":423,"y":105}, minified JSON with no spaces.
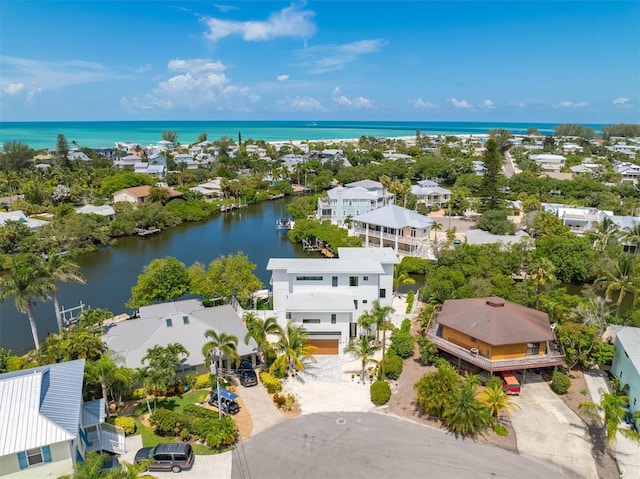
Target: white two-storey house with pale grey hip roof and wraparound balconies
{"x":405,"y":231}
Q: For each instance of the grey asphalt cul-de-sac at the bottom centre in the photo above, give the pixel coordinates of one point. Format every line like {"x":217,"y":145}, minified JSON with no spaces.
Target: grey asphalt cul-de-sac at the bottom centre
{"x":372,"y":445}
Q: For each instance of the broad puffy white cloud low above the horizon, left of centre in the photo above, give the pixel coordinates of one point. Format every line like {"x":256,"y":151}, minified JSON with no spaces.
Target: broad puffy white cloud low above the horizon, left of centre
{"x":201,"y":83}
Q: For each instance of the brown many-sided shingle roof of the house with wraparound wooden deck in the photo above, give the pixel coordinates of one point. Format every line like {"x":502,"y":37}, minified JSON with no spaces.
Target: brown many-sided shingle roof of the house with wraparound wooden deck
{"x":510,"y":323}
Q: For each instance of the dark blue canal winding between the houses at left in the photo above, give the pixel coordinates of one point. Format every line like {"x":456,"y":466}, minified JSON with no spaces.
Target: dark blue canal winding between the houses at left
{"x":111,"y":272}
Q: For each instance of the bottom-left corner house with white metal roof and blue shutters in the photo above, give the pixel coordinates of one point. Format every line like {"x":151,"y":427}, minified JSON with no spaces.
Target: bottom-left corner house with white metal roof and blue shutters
{"x":46,"y":427}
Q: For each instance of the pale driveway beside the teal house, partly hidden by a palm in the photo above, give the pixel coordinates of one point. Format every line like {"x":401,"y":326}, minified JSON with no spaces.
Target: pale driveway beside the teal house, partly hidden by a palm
{"x":627,"y":452}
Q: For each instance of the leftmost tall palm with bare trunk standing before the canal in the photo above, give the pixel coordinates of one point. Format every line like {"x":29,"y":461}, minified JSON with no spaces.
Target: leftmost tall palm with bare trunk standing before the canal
{"x":27,"y":282}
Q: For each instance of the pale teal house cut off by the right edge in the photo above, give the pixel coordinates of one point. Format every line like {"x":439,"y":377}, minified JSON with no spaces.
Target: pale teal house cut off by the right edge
{"x":626,"y":364}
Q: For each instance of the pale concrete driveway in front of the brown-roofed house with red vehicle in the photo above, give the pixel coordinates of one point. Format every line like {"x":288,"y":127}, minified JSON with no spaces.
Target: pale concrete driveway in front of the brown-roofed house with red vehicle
{"x":547,"y":429}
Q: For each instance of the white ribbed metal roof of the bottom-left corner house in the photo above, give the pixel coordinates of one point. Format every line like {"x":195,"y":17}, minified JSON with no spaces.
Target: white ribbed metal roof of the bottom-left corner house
{"x":40,"y":406}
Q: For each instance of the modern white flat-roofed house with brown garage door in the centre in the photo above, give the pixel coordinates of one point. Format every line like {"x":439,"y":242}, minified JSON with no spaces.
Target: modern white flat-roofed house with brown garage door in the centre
{"x":328,"y":296}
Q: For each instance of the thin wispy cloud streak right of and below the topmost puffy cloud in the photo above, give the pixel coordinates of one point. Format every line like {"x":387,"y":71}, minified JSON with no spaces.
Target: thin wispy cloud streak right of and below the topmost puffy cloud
{"x":326,"y":58}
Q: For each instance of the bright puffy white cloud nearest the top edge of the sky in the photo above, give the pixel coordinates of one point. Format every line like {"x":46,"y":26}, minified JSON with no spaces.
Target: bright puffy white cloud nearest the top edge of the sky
{"x":288,"y":22}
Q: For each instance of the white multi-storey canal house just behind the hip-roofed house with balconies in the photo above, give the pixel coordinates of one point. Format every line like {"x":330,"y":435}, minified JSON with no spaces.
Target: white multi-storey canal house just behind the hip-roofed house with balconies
{"x":346,"y":202}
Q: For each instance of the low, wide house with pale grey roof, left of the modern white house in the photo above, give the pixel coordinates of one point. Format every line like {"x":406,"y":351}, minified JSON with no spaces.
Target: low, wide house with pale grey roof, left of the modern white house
{"x":183,"y":322}
